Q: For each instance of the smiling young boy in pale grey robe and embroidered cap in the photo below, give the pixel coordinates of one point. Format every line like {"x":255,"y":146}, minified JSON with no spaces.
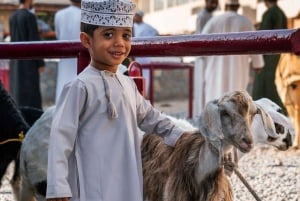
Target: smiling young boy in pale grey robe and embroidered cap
{"x":94,"y":150}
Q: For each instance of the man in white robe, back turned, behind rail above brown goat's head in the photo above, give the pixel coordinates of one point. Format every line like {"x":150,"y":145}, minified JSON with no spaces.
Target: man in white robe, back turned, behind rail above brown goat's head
{"x":230,"y":72}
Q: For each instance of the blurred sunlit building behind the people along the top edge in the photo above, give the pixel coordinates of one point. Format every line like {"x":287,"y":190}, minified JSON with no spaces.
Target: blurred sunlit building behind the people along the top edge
{"x":170,"y":17}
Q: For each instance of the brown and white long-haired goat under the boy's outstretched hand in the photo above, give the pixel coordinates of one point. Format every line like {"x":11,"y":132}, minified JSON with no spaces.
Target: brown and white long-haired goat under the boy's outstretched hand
{"x":193,"y":169}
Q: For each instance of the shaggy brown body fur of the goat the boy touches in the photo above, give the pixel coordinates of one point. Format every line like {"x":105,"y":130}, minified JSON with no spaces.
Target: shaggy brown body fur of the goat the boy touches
{"x":173,"y":172}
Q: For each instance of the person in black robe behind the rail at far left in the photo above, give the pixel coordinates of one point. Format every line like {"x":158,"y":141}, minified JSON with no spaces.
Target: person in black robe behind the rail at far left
{"x":25,"y":74}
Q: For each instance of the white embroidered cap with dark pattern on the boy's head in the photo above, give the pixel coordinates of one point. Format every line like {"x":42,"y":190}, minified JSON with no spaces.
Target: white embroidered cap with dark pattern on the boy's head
{"x":118,"y":13}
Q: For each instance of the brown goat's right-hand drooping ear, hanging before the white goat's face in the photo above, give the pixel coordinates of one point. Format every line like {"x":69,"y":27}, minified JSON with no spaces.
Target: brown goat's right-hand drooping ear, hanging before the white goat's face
{"x":268,"y":122}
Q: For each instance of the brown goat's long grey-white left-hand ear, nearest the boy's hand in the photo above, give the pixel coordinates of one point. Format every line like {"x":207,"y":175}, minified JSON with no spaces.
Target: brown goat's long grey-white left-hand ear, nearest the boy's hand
{"x":210,"y":124}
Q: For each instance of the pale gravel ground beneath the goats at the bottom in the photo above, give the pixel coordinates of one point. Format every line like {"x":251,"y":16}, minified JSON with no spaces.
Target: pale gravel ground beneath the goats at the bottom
{"x":273,"y":175}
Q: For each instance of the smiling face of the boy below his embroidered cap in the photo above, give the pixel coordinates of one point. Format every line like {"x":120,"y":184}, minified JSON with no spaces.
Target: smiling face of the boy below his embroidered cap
{"x":108,"y":47}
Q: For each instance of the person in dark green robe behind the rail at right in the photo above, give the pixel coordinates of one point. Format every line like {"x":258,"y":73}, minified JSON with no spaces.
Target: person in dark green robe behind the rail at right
{"x":264,"y":81}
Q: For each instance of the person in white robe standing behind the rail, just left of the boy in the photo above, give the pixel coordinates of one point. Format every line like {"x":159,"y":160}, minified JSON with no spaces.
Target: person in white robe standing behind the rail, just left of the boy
{"x":67,"y":27}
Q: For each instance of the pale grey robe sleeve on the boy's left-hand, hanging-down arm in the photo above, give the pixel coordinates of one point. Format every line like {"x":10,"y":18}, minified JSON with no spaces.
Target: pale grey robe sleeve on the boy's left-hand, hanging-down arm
{"x":62,"y":139}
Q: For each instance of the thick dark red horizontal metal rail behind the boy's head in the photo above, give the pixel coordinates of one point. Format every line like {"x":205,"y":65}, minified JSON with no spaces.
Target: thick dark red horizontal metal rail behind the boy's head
{"x":256,"y":42}
